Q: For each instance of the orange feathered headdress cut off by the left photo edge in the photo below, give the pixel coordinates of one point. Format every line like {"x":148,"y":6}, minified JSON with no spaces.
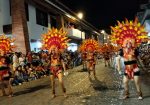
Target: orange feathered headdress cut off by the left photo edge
{"x":6,"y":43}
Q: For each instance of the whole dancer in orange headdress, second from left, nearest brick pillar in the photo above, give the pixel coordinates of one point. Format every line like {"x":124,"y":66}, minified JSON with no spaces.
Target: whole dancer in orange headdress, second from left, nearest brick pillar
{"x":55,"y":41}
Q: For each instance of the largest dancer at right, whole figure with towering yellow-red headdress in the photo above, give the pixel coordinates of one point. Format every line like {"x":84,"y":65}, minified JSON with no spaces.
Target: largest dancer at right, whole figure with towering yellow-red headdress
{"x":129,"y":34}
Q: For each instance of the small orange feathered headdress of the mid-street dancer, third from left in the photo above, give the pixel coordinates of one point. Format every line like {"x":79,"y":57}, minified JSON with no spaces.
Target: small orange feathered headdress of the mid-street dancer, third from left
{"x":89,"y":44}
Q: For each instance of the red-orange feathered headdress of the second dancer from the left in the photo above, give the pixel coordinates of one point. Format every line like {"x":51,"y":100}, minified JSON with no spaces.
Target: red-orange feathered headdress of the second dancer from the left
{"x":55,"y":38}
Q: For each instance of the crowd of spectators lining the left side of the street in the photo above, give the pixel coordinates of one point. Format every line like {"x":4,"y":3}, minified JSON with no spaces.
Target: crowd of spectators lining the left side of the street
{"x":32,"y":66}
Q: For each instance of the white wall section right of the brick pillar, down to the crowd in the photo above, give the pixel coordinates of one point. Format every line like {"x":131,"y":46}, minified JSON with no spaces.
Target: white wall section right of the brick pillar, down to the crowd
{"x":34,"y":29}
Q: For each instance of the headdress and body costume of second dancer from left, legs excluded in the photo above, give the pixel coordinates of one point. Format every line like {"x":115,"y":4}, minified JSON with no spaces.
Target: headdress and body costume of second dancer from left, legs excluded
{"x":55,"y":39}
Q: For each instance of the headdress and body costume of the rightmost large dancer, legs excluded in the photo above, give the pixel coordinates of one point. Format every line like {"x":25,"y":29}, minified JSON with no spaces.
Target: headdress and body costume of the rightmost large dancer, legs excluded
{"x":129,"y":33}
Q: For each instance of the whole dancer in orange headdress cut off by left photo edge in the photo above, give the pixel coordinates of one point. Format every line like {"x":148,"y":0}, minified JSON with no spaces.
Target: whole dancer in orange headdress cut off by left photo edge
{"x":5,"y":73}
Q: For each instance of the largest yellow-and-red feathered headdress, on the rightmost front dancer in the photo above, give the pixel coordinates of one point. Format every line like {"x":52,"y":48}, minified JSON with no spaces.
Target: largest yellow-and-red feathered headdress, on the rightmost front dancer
{"x":128,"y":31}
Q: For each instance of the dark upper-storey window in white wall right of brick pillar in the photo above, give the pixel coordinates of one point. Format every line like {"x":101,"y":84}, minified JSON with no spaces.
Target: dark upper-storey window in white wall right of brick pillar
{"x":41,"y":18}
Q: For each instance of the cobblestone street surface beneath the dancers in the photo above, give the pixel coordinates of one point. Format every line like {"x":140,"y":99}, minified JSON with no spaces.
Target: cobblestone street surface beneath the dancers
{"x":81,"y":91}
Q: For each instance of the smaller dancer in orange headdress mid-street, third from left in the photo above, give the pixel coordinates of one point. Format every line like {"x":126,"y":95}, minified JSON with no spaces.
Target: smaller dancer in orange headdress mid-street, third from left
{"x":90,"y":46}
